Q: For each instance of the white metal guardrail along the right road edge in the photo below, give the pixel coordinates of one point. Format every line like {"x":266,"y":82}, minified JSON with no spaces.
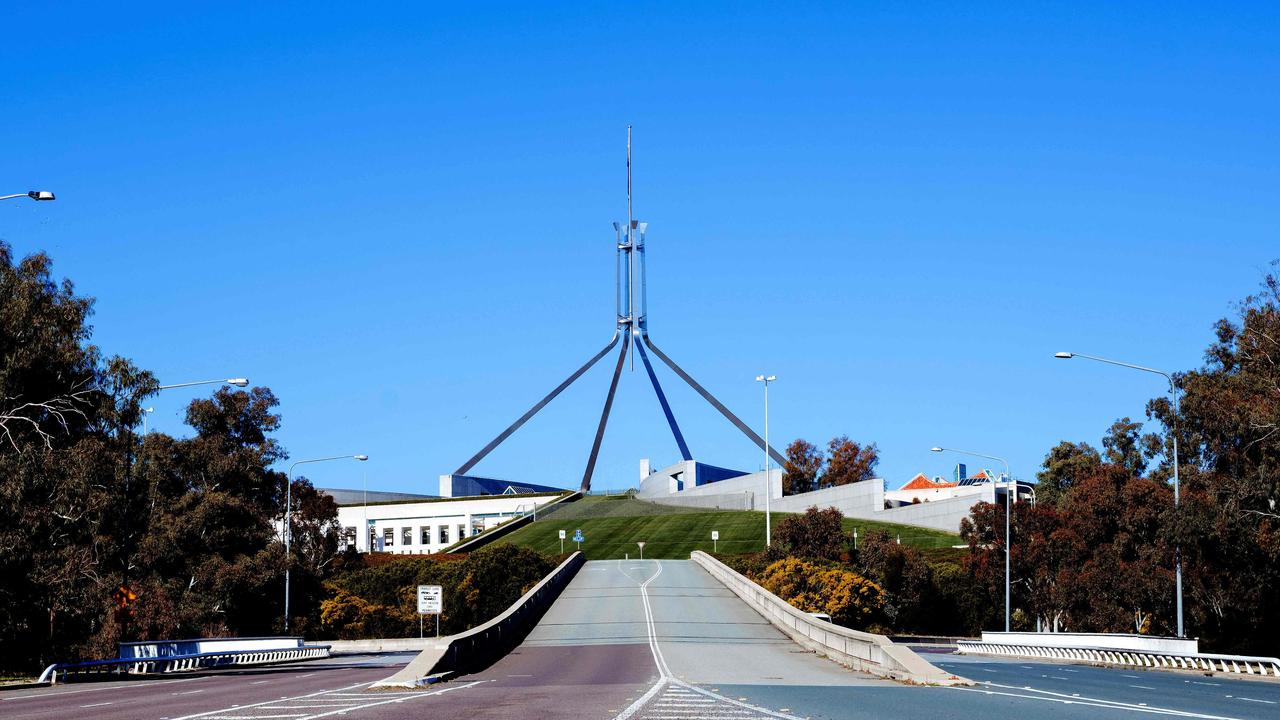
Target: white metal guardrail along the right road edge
{"x":1236,"y":664}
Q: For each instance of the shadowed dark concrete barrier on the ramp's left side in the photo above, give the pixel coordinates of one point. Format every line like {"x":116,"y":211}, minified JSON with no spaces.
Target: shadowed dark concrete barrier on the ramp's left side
{"x":484,"y":645}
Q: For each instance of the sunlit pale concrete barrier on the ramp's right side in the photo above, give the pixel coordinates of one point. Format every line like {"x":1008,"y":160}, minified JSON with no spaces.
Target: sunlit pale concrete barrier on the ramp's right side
{"x":853,"y":649}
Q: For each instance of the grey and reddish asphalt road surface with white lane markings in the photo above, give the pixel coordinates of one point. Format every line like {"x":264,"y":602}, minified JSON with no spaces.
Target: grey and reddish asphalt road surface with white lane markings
{"x":659,"y":641}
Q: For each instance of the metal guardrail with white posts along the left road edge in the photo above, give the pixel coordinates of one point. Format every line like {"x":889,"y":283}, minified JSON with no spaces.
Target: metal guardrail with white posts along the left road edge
{"x":104,"y":669}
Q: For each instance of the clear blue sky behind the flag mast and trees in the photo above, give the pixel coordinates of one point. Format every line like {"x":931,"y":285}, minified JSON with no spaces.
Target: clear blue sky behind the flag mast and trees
{"x":399,"y":217}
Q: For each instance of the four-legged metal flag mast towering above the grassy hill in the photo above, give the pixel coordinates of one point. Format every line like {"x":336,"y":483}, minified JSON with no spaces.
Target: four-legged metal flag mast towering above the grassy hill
{"x":632,"y":330}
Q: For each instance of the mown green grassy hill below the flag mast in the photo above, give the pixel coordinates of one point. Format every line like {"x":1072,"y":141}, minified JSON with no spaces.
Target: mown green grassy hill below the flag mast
{"x":612,"y":527}
